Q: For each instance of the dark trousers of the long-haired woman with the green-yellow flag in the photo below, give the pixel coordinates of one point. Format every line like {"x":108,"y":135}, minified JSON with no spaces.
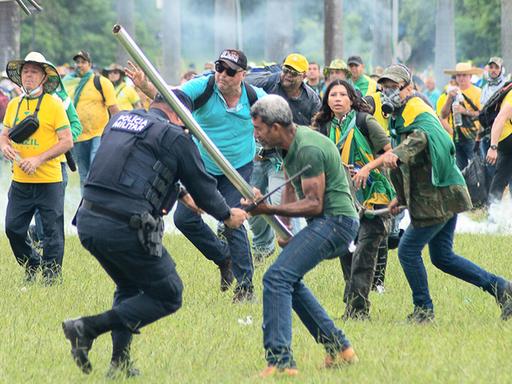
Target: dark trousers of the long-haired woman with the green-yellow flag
{"x":359,"y":267}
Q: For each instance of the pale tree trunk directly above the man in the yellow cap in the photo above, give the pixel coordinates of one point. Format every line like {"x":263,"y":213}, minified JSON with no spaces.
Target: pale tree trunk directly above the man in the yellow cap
{"x":278,"y":30}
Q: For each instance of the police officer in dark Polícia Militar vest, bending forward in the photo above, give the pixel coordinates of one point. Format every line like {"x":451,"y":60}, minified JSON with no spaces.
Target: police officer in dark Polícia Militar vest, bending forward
{"x":131,"y":183}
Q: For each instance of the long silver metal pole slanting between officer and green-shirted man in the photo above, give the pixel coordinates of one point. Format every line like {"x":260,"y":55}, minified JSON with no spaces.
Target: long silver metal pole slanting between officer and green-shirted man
{"x":186,"y":116}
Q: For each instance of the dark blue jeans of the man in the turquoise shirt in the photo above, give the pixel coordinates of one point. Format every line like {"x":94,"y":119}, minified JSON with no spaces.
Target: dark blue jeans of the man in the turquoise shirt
{"x":205,"y":240}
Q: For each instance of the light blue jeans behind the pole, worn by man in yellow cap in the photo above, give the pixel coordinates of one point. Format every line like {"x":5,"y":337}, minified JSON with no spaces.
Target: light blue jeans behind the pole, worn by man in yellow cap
{"x":266,"y":177}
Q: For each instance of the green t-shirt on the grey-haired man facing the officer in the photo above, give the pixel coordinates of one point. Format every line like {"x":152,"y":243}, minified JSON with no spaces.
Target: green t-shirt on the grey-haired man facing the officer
{"x":311,"y":147}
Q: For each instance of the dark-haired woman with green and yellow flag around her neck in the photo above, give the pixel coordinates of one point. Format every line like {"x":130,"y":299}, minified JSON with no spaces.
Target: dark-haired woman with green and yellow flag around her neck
{"x":344,"y":118}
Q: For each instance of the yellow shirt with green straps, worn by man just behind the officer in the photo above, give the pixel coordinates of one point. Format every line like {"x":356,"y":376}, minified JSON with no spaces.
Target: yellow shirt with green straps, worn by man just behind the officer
{"x":92,"y":111}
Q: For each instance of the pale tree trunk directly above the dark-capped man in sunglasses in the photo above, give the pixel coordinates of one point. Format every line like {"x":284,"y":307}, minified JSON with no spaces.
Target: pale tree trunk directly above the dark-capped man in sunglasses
{"x":225,"y":24}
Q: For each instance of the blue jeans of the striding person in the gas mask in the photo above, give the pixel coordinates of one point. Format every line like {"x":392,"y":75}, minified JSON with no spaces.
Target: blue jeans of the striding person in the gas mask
{"x":439,"y":238}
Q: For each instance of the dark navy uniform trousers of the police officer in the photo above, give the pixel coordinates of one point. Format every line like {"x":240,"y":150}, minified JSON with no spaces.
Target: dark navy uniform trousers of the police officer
{"x":147,"y":287}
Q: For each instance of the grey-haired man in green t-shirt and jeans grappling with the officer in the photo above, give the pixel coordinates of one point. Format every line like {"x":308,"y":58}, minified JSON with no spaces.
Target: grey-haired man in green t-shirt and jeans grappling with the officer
{"x":323,"y":198}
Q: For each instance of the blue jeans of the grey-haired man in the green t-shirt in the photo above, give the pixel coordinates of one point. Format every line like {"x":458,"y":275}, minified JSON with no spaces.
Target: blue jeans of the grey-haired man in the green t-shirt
{"x":283,"y":289}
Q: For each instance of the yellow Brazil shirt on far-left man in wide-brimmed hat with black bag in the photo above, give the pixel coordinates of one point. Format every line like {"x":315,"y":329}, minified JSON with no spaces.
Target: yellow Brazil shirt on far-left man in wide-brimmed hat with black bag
{"x":52,"y":118}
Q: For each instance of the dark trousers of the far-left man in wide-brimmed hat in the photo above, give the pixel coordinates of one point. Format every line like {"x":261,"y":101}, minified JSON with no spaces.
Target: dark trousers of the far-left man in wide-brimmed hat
{"x":24,"y":199}
